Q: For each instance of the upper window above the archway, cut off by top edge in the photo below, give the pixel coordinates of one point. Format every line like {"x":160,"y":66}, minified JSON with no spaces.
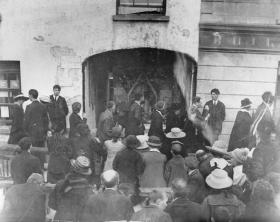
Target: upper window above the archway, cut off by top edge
{"x":141,"y":7}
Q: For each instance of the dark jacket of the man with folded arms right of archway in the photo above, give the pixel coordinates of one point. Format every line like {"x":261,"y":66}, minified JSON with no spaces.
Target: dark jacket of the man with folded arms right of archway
{"x":217,"y":115}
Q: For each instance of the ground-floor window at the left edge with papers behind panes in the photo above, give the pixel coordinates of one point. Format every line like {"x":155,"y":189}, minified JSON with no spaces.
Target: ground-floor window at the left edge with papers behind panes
{"x":9,"y":87}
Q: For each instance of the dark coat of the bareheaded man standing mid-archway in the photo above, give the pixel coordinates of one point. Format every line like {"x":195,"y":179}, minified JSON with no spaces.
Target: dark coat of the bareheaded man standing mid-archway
{"x":135,"y":124}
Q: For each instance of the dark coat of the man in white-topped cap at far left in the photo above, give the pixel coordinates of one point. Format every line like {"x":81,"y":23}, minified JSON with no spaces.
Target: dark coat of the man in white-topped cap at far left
{"x":16,"y":132}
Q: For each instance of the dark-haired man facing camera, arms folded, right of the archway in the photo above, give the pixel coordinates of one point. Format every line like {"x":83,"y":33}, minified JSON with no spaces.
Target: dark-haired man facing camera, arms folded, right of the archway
{"x":214,"y":113}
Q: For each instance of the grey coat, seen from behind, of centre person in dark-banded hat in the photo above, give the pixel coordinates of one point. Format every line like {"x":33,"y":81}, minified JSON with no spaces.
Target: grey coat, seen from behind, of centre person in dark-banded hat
{"x":153,"y":175}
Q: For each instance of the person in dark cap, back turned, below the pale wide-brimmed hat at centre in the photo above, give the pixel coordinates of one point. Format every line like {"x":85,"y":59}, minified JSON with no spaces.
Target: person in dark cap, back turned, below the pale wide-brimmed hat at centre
{"x":175,"y":167}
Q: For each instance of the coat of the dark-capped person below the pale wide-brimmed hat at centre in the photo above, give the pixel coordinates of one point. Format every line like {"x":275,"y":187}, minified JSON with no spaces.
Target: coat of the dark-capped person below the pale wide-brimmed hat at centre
{"x":175,"y":168}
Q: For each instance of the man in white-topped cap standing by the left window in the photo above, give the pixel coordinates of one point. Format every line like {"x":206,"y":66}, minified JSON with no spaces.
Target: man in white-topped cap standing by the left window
{"x":17,"y":115}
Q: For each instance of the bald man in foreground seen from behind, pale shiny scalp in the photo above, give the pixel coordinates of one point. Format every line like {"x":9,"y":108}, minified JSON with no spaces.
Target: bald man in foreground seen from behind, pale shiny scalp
{"x":109,"y":205}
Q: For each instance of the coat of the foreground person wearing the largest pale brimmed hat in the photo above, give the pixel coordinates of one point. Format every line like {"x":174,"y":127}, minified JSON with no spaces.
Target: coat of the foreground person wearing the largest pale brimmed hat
{"x":229,"y":201}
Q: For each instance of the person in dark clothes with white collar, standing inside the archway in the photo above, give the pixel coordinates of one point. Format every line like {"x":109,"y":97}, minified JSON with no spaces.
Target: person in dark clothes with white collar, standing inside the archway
{"x":157,"y":120}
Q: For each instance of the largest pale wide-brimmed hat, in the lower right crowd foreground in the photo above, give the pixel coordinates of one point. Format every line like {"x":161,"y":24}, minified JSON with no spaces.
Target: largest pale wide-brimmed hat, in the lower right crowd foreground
{"x":219,"y":179}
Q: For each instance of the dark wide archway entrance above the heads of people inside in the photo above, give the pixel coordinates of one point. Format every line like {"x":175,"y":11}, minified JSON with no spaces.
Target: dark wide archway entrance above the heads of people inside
{"x":118,"y":75}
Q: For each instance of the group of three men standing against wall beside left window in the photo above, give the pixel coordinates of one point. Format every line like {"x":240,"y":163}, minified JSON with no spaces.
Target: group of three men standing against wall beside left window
{"x":38,"y":117}
